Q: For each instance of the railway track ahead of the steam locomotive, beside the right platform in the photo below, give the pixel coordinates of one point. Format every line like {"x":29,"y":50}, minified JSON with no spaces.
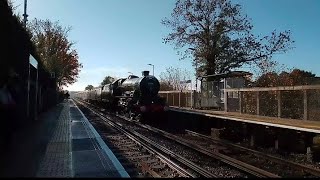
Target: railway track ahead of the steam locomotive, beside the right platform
{"x":258,"y":164}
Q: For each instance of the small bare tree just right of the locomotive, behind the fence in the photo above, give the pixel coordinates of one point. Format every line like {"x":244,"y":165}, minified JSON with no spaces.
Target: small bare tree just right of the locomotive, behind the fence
{"x":174,"y":79}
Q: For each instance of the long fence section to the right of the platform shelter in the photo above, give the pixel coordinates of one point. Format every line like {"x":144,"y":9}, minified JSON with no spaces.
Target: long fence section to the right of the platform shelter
{"x":294,"y":102}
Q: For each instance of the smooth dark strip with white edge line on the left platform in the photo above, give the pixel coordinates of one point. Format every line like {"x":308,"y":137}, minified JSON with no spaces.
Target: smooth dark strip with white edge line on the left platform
{"x":91,"y":157}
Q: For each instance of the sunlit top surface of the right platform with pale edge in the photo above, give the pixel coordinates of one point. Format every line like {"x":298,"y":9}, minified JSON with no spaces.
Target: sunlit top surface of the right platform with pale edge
{"x":295,"y":124}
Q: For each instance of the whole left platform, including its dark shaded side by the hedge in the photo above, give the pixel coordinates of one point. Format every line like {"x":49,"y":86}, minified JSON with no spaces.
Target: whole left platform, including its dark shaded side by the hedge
{"x":61,"y":143}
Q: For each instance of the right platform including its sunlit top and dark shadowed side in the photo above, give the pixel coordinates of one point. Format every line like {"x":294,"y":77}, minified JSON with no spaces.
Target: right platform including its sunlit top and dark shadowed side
{"x":281,"y":134}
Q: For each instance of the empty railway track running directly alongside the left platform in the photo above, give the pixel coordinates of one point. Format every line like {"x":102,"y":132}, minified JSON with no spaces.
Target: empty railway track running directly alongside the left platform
{"x":146,"y":158}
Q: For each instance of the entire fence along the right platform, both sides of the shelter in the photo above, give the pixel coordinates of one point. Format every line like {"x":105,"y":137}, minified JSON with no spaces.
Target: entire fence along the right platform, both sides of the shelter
{"x":291,"y":102}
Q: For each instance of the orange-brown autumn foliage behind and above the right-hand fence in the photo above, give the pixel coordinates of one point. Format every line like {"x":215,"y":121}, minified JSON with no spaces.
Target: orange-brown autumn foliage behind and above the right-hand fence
{"x":291,"y":101}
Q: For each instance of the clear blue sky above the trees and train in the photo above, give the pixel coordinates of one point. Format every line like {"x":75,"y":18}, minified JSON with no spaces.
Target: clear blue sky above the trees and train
{"x":115,"y":37}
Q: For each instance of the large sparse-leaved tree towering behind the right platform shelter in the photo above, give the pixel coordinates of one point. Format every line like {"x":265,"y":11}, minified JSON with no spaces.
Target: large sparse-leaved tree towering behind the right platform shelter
{"x":219,"y":36}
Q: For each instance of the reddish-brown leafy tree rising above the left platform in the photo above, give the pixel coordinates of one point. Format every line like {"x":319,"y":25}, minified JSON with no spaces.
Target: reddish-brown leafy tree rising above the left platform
{"x":55,"y":50}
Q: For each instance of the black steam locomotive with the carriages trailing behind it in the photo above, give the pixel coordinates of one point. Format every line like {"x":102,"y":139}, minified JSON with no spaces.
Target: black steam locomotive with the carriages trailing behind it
{"x":135,"y":97}
